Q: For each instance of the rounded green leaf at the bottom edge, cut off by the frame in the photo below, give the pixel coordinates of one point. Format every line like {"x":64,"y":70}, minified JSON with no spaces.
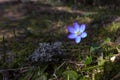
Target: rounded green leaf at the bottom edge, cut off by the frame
{"x":70,"y":75}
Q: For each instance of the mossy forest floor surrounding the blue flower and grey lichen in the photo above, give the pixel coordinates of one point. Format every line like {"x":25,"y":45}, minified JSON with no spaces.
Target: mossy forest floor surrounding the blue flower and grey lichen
{"x":38,"y":22}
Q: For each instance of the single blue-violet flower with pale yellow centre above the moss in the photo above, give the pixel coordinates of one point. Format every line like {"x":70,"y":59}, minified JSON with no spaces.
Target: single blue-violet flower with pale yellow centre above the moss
{"x":77,"y":32}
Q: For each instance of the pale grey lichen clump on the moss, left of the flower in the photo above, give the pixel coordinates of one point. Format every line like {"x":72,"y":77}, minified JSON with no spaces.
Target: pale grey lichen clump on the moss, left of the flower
{"x":47,"y":52}
